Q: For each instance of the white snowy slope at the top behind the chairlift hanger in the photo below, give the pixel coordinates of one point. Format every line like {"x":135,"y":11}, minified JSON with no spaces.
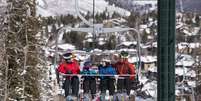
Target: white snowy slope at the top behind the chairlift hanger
{"x":58,"y":7}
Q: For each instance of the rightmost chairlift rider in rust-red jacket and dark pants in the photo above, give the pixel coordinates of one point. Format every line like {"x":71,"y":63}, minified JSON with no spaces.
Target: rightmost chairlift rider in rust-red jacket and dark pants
{"x":123,"y":67}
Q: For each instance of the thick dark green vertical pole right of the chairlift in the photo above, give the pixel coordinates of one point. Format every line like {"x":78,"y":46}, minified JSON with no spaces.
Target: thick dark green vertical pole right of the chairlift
{"x":166,"y":50}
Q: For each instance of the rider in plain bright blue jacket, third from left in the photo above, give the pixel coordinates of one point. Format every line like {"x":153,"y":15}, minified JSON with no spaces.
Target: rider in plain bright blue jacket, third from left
{"x":107,"y":83}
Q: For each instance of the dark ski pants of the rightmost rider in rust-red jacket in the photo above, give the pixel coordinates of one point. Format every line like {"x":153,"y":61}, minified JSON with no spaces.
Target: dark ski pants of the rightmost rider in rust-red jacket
{"x":124,"y":84}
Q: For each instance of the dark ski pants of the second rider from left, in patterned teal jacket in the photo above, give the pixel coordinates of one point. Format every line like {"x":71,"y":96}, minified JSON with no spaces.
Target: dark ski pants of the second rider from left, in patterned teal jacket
{"x":89,"y":84}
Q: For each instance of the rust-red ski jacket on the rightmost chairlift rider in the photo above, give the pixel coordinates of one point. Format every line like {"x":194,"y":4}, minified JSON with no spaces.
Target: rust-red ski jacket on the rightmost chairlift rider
{"x":125,"y":68}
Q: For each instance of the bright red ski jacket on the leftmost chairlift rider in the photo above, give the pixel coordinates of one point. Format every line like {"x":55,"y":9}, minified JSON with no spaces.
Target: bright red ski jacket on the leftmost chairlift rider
{"x":69,"y":68}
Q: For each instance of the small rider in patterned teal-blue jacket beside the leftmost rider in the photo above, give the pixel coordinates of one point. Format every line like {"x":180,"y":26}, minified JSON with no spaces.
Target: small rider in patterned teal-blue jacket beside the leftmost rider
{"x":89,"y":83}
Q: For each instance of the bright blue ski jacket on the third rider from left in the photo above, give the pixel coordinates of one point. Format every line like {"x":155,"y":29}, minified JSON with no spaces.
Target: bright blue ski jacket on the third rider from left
{"x":107,"y":70}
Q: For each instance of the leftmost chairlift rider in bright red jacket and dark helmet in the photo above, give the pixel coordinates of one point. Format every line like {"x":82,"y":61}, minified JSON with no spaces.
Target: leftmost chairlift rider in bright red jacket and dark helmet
{"x":70,"y":67}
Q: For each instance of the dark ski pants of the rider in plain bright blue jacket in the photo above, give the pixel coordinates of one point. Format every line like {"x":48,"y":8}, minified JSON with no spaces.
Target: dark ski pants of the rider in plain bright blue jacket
{"x":107,"y":84}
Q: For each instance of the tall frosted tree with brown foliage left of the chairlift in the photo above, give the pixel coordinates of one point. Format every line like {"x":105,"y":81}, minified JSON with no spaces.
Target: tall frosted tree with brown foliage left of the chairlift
{"x":22,"y":51}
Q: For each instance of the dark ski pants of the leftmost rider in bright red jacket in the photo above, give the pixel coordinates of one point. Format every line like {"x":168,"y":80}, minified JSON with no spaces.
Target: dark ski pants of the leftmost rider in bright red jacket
{"x":72,"y":82}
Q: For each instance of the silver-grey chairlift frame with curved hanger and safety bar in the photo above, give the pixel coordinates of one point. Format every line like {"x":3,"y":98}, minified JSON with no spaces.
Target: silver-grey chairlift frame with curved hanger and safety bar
{"x":97,"y":29}
